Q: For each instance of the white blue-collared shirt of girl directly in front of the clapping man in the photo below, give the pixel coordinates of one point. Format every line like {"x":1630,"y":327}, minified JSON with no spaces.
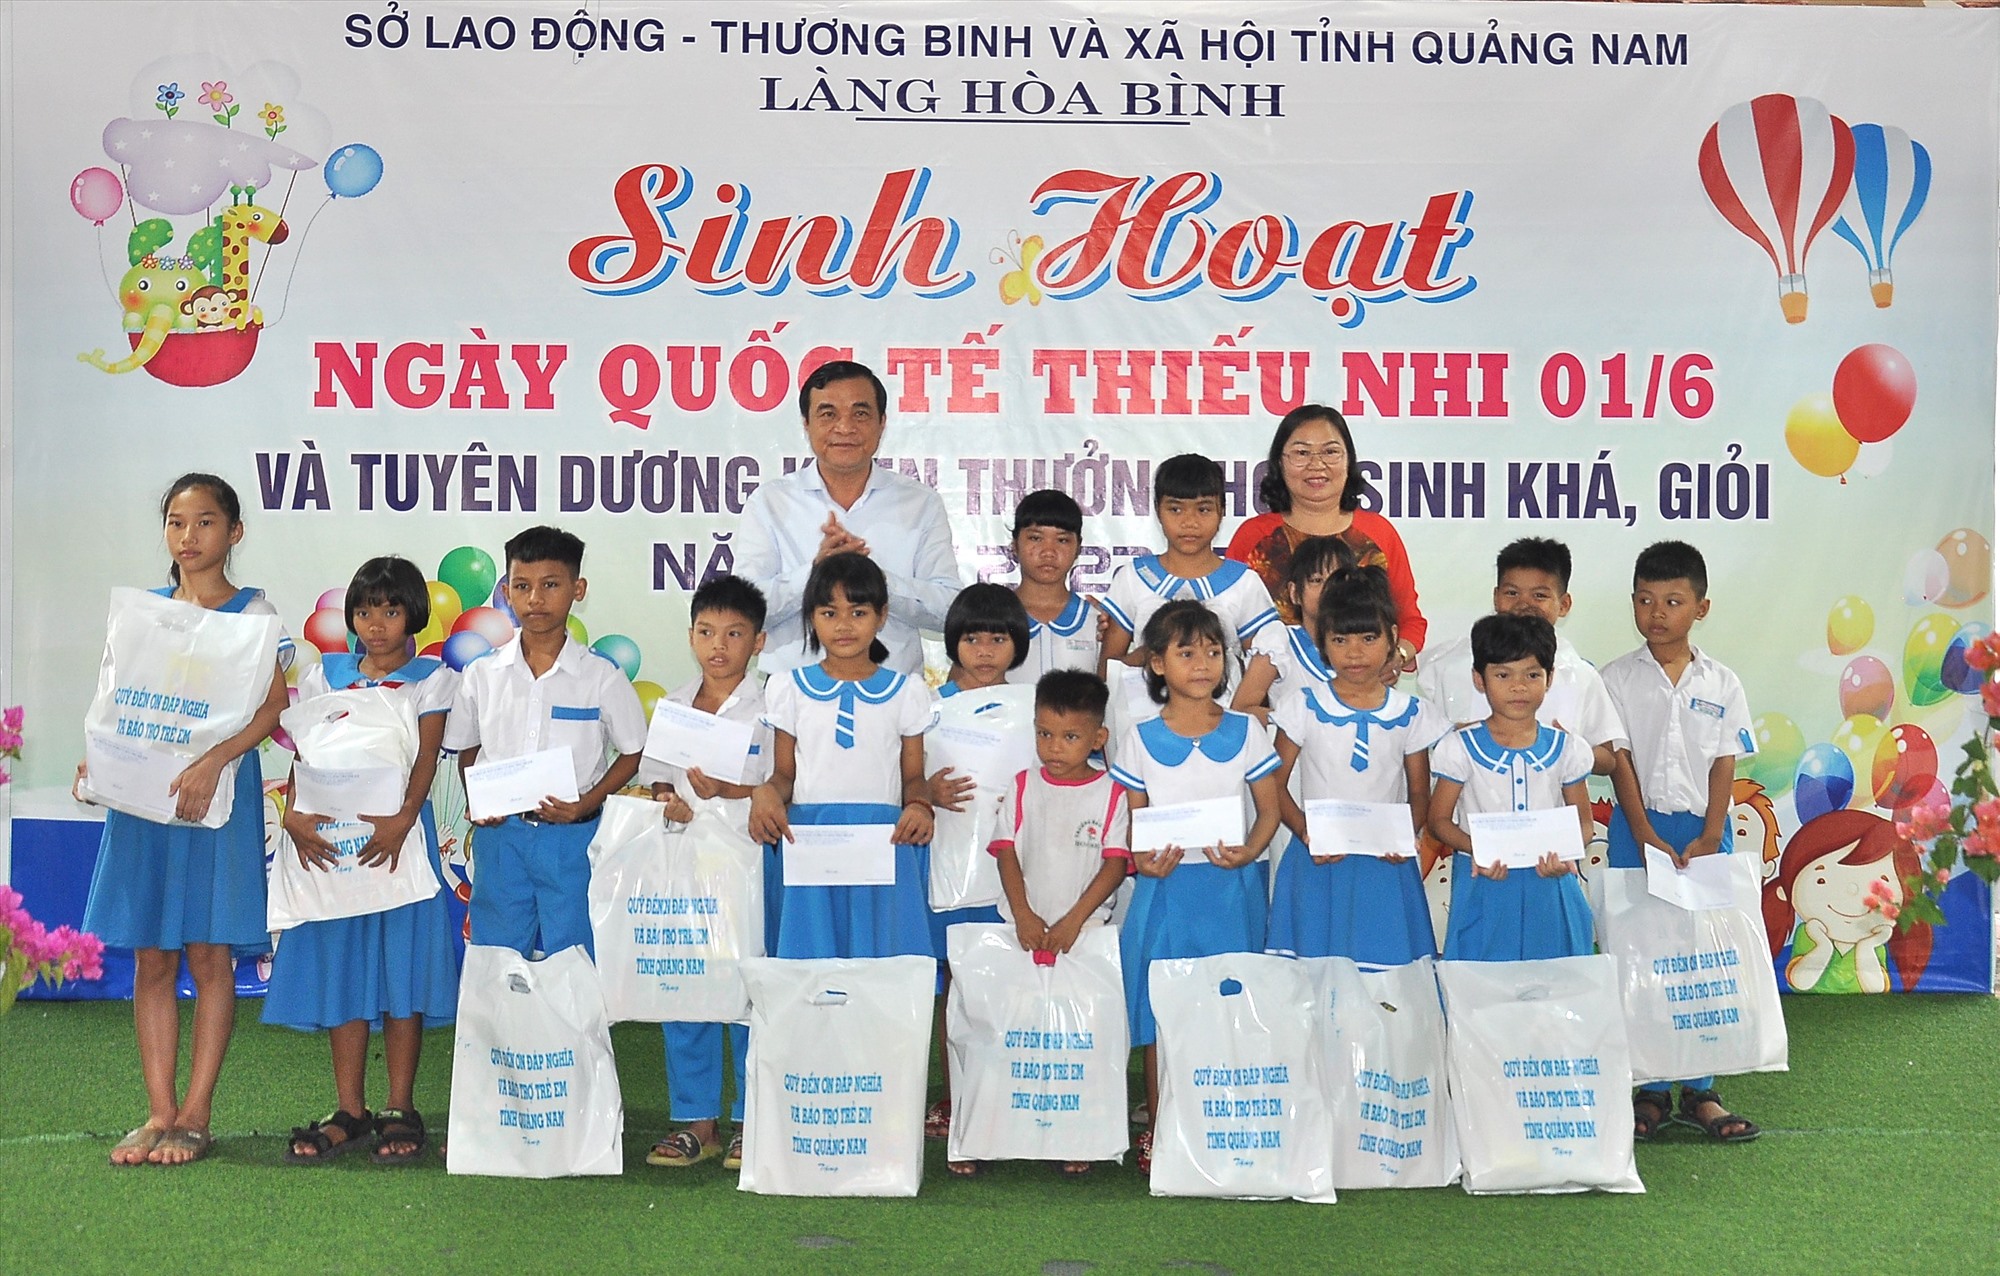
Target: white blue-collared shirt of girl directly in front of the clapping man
{"x":847,"y":735}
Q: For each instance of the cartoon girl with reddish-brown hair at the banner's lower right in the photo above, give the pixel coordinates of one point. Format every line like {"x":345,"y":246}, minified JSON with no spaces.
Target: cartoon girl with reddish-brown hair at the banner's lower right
{"x":1821,"y":903}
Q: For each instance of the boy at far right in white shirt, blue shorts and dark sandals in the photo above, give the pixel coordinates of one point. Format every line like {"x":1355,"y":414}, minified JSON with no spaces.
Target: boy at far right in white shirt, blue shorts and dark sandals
{"x":1689,"y":721}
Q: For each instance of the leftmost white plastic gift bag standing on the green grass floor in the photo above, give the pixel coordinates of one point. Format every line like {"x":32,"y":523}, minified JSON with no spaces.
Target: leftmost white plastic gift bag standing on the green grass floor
{"x":535,"y":1093}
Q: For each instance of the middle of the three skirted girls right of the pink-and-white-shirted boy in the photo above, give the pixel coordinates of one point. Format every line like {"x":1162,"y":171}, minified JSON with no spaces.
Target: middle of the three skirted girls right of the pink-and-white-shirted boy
{"x":1357,"y":741}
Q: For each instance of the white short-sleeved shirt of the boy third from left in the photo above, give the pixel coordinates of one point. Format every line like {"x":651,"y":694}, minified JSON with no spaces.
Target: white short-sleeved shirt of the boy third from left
{"x":583,"y":703}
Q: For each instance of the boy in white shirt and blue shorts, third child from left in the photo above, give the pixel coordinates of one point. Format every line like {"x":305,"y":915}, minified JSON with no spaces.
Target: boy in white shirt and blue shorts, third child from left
{"x":545,"y":691}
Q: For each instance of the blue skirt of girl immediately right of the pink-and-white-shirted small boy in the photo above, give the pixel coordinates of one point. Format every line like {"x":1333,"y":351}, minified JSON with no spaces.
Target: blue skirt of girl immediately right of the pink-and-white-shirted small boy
{"x":1195,"y":911}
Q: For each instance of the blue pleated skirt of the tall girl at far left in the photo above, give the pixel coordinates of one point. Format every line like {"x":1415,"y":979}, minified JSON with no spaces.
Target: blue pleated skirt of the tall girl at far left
{"x":177,"y":885}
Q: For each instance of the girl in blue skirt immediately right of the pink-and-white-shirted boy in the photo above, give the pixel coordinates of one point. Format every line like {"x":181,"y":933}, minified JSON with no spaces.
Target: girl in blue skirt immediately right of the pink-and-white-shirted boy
{"x":1191,"y":901}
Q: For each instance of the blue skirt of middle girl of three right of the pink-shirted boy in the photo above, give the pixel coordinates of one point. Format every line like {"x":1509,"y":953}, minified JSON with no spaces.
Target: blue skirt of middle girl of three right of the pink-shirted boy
{"x":1359,"y":909}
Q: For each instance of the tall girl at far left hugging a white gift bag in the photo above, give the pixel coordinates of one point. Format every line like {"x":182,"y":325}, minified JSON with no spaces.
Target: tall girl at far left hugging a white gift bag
{"x":165,"y":891}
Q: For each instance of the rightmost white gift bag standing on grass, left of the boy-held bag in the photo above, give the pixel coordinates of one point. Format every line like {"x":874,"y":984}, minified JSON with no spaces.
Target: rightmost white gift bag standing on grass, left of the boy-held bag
{"x":1541,"y":1075}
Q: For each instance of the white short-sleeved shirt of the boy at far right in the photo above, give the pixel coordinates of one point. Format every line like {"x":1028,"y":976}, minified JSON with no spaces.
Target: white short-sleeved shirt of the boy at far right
{"x":1679,"y":729}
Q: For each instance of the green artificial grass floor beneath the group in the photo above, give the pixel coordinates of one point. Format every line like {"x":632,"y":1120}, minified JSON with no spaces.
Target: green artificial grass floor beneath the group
{"x":1881,"y":1155}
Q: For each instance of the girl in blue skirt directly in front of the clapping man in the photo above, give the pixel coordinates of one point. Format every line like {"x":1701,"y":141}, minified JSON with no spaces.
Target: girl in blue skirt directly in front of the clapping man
{"x":849,"y":749}
